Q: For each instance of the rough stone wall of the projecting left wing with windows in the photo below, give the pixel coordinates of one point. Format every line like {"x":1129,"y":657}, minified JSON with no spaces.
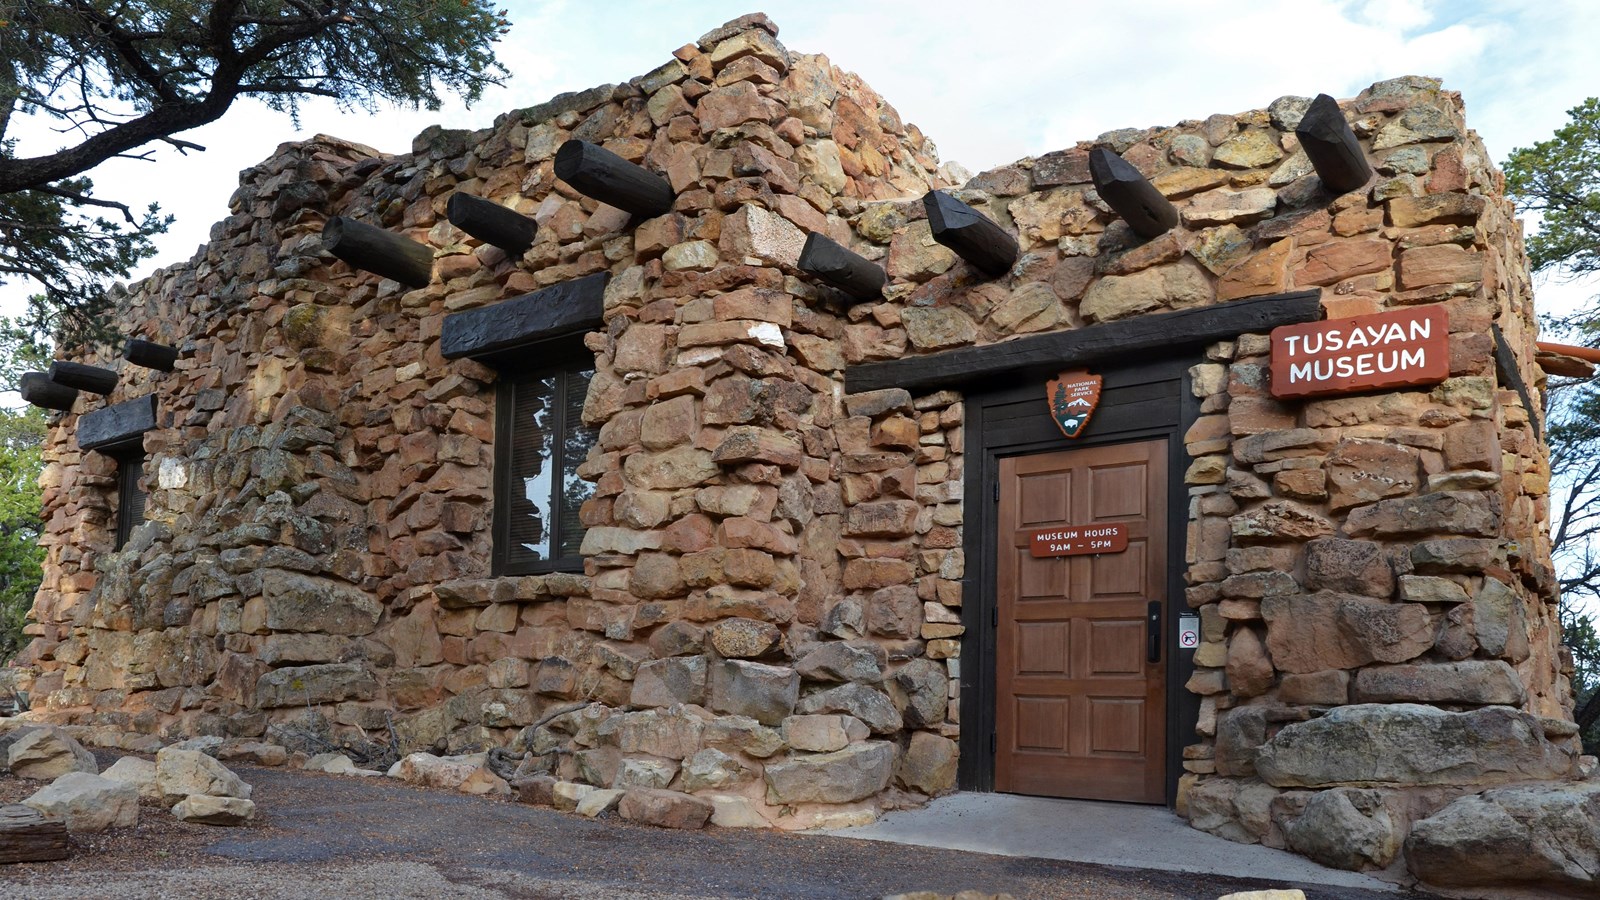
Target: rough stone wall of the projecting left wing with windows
{"x":316,"y":566}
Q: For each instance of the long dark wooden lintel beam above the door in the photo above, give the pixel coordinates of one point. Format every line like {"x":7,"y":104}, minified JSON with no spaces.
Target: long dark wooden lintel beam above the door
{"x":1044,"y":356}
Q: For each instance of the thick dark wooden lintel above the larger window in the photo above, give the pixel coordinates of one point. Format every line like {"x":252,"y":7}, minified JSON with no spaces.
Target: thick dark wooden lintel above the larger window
{"x":505,"y":331}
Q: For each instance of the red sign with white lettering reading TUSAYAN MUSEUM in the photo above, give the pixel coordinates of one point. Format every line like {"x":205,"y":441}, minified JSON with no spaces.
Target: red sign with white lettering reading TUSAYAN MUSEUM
{"x":1364,"y":353}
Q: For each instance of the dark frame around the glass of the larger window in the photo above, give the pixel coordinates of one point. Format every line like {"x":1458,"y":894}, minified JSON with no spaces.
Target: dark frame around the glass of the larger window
{"x":564,"y":366}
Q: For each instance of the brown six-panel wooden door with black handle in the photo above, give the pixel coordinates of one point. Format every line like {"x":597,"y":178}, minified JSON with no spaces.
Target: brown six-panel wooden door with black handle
{"x":1081,"y":712}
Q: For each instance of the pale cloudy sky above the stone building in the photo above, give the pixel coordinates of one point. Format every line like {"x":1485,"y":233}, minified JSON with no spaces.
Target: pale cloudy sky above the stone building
{"x":990,"y":81}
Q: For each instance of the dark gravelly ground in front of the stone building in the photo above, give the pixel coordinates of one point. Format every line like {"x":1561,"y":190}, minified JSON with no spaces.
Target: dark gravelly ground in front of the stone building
{"x":322,"y":837}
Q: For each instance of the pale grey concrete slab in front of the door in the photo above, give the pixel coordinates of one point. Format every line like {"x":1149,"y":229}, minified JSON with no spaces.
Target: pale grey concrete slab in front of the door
{"x":1103,"y":834}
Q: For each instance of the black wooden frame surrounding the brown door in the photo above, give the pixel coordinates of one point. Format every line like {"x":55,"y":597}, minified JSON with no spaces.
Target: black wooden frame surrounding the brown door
{"x":1158,"y":404}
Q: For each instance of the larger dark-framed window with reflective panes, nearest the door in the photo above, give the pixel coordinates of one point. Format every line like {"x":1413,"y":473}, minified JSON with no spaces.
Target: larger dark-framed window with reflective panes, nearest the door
{"x":540,"y":441}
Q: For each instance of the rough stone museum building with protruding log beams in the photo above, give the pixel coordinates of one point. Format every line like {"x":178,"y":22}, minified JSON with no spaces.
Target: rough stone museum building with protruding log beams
{"x":654,"y":505}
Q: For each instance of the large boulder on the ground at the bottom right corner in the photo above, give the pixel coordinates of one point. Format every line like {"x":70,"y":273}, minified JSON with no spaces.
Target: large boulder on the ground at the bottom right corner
{"x":1542,"y":837}
